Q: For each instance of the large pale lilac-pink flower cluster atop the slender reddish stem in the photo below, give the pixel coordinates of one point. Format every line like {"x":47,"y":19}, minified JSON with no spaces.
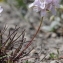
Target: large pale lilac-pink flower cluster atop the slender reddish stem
{"x":43,"y":6}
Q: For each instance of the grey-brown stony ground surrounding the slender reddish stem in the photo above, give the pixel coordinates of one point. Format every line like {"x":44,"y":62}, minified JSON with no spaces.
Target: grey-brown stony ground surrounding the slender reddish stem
{"x":45,"y":42}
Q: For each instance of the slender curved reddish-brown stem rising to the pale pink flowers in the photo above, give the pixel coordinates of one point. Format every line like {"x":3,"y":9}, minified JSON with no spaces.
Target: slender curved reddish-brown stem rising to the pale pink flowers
{"x":30,"y":40}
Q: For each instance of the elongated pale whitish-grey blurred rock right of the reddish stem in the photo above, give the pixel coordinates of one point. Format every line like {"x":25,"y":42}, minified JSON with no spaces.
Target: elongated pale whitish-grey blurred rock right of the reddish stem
{"x":52,"y":27}
